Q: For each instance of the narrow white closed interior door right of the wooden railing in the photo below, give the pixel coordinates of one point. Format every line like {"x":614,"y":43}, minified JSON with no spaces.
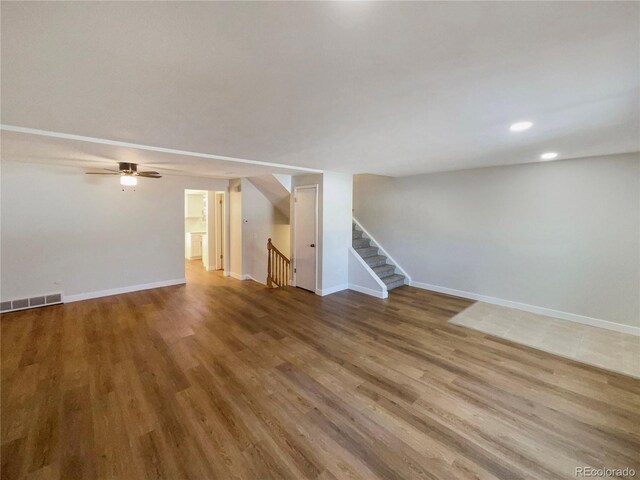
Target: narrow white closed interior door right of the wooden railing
{"x":305,"y":236}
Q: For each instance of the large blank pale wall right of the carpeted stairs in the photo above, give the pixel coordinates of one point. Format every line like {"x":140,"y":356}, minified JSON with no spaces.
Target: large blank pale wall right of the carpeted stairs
{"x":561,"y":235}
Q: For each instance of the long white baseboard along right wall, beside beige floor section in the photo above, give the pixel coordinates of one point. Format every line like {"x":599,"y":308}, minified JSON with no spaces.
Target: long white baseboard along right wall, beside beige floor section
{"x":571,"y":317}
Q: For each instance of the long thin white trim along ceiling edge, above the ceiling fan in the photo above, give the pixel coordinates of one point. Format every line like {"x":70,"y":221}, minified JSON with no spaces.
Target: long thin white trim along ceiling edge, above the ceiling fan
{"x":150,"y":148}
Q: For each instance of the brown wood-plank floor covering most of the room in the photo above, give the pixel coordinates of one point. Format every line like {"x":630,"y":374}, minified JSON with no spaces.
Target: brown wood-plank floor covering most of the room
{"x":227,"y":379}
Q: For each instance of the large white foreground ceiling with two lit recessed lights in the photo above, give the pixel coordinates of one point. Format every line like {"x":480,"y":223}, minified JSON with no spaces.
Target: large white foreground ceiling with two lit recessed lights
{"x":393,"y":88}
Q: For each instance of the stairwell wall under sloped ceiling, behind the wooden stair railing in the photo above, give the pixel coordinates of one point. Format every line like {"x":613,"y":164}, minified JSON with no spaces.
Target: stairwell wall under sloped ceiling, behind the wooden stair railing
{"x":260,"y":221}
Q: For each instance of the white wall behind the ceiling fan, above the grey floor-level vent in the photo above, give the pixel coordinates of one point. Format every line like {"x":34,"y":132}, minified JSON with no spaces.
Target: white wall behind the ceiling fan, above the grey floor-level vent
{"x":79,"y":234}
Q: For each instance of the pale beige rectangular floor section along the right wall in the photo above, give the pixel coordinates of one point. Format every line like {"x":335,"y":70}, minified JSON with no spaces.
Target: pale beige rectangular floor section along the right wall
{"x":614,"y":351}
